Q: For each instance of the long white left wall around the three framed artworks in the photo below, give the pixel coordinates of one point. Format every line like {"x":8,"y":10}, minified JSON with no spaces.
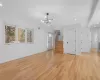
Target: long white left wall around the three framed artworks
{"x":19,"y":50}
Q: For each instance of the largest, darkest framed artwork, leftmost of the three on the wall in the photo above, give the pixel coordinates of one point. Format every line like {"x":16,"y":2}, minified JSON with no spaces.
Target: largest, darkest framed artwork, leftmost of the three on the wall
{"x":10,"y":34}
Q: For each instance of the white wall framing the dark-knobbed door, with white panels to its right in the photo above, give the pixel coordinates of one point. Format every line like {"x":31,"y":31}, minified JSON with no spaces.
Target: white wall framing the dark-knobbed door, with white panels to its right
{"x":86,"y":41}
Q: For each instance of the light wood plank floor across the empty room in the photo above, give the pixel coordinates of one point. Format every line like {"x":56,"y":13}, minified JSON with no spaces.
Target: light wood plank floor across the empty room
{"x":49,"y":66}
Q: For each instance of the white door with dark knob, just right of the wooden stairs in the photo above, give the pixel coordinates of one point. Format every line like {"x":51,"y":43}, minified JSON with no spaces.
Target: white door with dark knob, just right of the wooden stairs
{"x":71,"y":41}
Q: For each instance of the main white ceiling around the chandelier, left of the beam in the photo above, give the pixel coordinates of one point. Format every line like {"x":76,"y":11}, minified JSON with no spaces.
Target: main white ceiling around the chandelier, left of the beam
{"x":63,"y":11}
